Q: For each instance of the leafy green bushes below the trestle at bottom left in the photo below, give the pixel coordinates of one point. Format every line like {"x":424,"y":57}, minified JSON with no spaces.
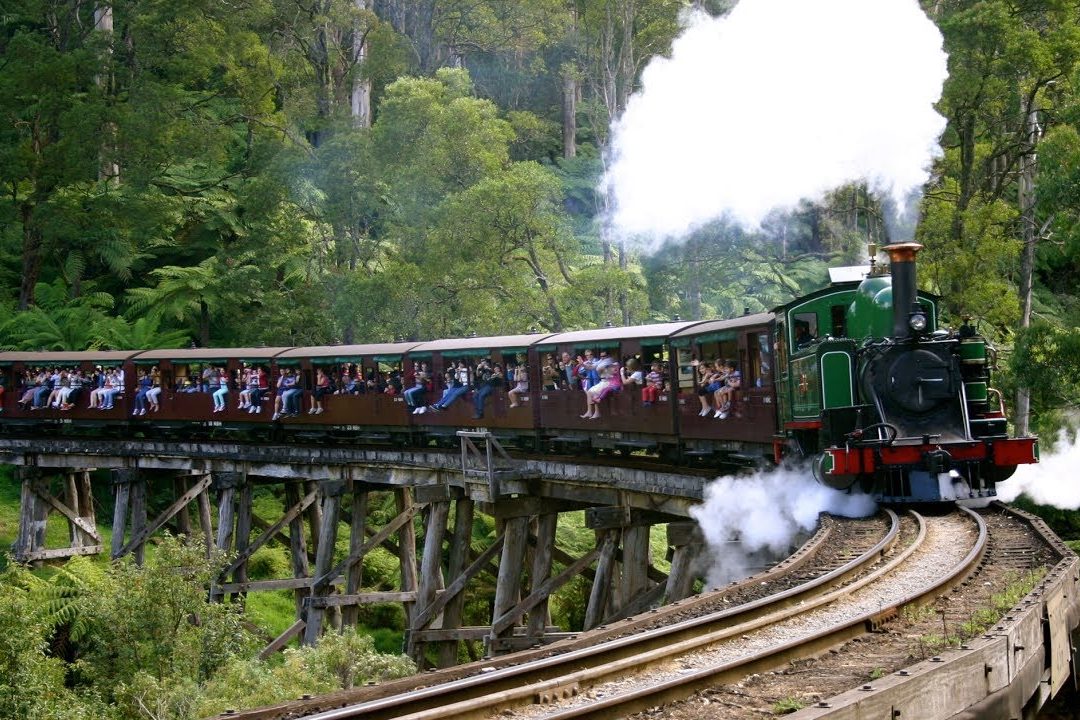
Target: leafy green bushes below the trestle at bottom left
{"x":104,"y":642}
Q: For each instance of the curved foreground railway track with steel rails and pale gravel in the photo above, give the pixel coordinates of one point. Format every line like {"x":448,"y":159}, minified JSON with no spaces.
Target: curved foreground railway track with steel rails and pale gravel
{"x":819,"y":577}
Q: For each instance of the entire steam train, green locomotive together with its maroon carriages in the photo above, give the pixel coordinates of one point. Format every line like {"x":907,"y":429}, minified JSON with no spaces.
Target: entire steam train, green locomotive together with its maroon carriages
{"x":857,"y":379}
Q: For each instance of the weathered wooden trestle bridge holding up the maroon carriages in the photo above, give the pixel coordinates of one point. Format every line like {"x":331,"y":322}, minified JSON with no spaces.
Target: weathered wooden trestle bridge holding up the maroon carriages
{"x":327,"y":487}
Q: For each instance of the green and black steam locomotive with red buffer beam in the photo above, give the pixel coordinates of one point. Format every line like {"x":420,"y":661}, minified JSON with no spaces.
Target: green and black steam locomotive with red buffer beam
{"x":888,"y":403}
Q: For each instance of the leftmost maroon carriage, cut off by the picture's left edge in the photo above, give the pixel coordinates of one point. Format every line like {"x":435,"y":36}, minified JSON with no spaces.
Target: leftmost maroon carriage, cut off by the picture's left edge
{"x":58,"y":386}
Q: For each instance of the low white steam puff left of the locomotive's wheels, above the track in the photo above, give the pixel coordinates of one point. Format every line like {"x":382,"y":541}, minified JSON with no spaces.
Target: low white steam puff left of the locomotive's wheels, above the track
{"x":746,"y":517}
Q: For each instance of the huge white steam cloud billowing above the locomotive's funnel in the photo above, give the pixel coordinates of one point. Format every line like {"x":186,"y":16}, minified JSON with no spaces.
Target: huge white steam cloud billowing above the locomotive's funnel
{"x":778,"y":102}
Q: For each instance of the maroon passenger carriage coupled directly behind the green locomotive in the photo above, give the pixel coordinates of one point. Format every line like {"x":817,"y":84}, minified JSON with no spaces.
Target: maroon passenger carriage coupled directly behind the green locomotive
{"x":747,"y":428}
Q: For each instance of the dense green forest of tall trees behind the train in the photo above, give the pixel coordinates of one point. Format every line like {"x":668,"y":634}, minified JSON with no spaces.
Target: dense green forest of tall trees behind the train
{"x":298,"y":172}
